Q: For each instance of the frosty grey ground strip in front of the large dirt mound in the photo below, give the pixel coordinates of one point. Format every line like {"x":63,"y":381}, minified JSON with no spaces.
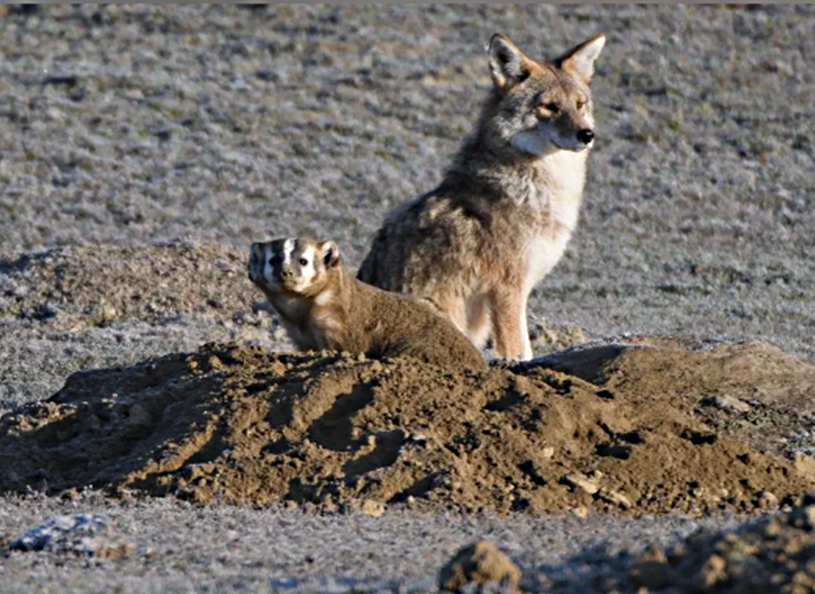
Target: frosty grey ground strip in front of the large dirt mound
{"x":180,"y":548}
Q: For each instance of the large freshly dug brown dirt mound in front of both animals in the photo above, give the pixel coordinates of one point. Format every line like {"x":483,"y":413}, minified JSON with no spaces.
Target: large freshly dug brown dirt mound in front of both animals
{"x":616,"y":428}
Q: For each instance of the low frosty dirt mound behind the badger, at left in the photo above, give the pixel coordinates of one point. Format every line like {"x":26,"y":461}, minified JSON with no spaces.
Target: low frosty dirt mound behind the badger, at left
{"x":100,"y":285}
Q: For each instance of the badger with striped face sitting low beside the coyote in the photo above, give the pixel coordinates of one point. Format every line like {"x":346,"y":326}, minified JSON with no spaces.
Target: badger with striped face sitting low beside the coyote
{"x":323,"y":307}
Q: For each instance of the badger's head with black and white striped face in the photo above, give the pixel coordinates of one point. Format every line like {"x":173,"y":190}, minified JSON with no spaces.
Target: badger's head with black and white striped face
{"x":290,"y":264}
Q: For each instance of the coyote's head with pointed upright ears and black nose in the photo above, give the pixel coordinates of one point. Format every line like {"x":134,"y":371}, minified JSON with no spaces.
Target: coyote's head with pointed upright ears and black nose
{"x":540,"y":107}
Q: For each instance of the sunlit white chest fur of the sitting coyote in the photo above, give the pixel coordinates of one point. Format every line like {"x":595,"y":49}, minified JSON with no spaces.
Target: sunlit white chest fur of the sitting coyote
{"x":557,"y":196}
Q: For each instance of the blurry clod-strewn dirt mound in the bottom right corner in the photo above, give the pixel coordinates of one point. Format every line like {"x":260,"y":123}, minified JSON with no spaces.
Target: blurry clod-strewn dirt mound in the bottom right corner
{"x":772,"y":554}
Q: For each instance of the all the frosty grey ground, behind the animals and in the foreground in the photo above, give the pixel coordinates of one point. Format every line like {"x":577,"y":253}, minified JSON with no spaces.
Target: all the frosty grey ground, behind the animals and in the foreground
{"x":131,"y":125}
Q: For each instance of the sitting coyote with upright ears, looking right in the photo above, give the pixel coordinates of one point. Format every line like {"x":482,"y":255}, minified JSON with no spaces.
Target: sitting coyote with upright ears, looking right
{"x":476,"y":246}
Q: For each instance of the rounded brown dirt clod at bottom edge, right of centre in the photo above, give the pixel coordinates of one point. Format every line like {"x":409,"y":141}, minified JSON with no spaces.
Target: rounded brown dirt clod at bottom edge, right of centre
{"x":479,"y":563}
